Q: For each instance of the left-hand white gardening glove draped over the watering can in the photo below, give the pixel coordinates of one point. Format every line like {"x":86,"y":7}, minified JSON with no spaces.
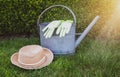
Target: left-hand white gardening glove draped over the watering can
{"x":49,"y":29}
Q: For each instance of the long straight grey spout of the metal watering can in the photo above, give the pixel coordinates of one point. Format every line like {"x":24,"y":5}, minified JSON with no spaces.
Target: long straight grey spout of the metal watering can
{"x":85,"y":32}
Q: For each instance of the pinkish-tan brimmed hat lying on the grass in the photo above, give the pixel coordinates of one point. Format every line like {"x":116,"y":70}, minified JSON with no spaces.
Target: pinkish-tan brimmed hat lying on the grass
{"x":32,"y":57}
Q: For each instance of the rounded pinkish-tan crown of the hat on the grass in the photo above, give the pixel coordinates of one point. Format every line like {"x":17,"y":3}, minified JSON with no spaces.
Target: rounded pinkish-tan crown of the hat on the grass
{"x":30,"y":54}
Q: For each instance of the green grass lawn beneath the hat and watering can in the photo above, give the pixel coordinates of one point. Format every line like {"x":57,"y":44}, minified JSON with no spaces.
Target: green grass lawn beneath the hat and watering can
{"x":92,"y":59}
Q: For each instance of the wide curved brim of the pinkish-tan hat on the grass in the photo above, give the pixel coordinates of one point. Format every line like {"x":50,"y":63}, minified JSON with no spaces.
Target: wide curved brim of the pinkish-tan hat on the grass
{"x":48,"y":55}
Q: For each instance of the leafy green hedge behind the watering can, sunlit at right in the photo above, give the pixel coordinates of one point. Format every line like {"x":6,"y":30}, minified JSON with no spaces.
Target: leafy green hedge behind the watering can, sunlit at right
{"x":20,"y":16}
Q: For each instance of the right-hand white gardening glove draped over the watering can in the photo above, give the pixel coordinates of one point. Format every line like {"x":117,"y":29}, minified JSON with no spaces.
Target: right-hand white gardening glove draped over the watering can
{"x":64,"y":28}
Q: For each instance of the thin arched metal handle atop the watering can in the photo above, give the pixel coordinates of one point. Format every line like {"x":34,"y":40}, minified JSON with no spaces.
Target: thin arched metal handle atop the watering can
{"x":38,"y":21}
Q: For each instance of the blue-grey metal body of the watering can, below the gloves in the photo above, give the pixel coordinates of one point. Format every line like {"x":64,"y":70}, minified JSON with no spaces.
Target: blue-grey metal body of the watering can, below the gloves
{"x":64,"y":45}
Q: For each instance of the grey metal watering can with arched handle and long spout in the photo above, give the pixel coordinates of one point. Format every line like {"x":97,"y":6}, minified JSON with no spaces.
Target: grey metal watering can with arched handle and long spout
{"x":66,"y":44}
